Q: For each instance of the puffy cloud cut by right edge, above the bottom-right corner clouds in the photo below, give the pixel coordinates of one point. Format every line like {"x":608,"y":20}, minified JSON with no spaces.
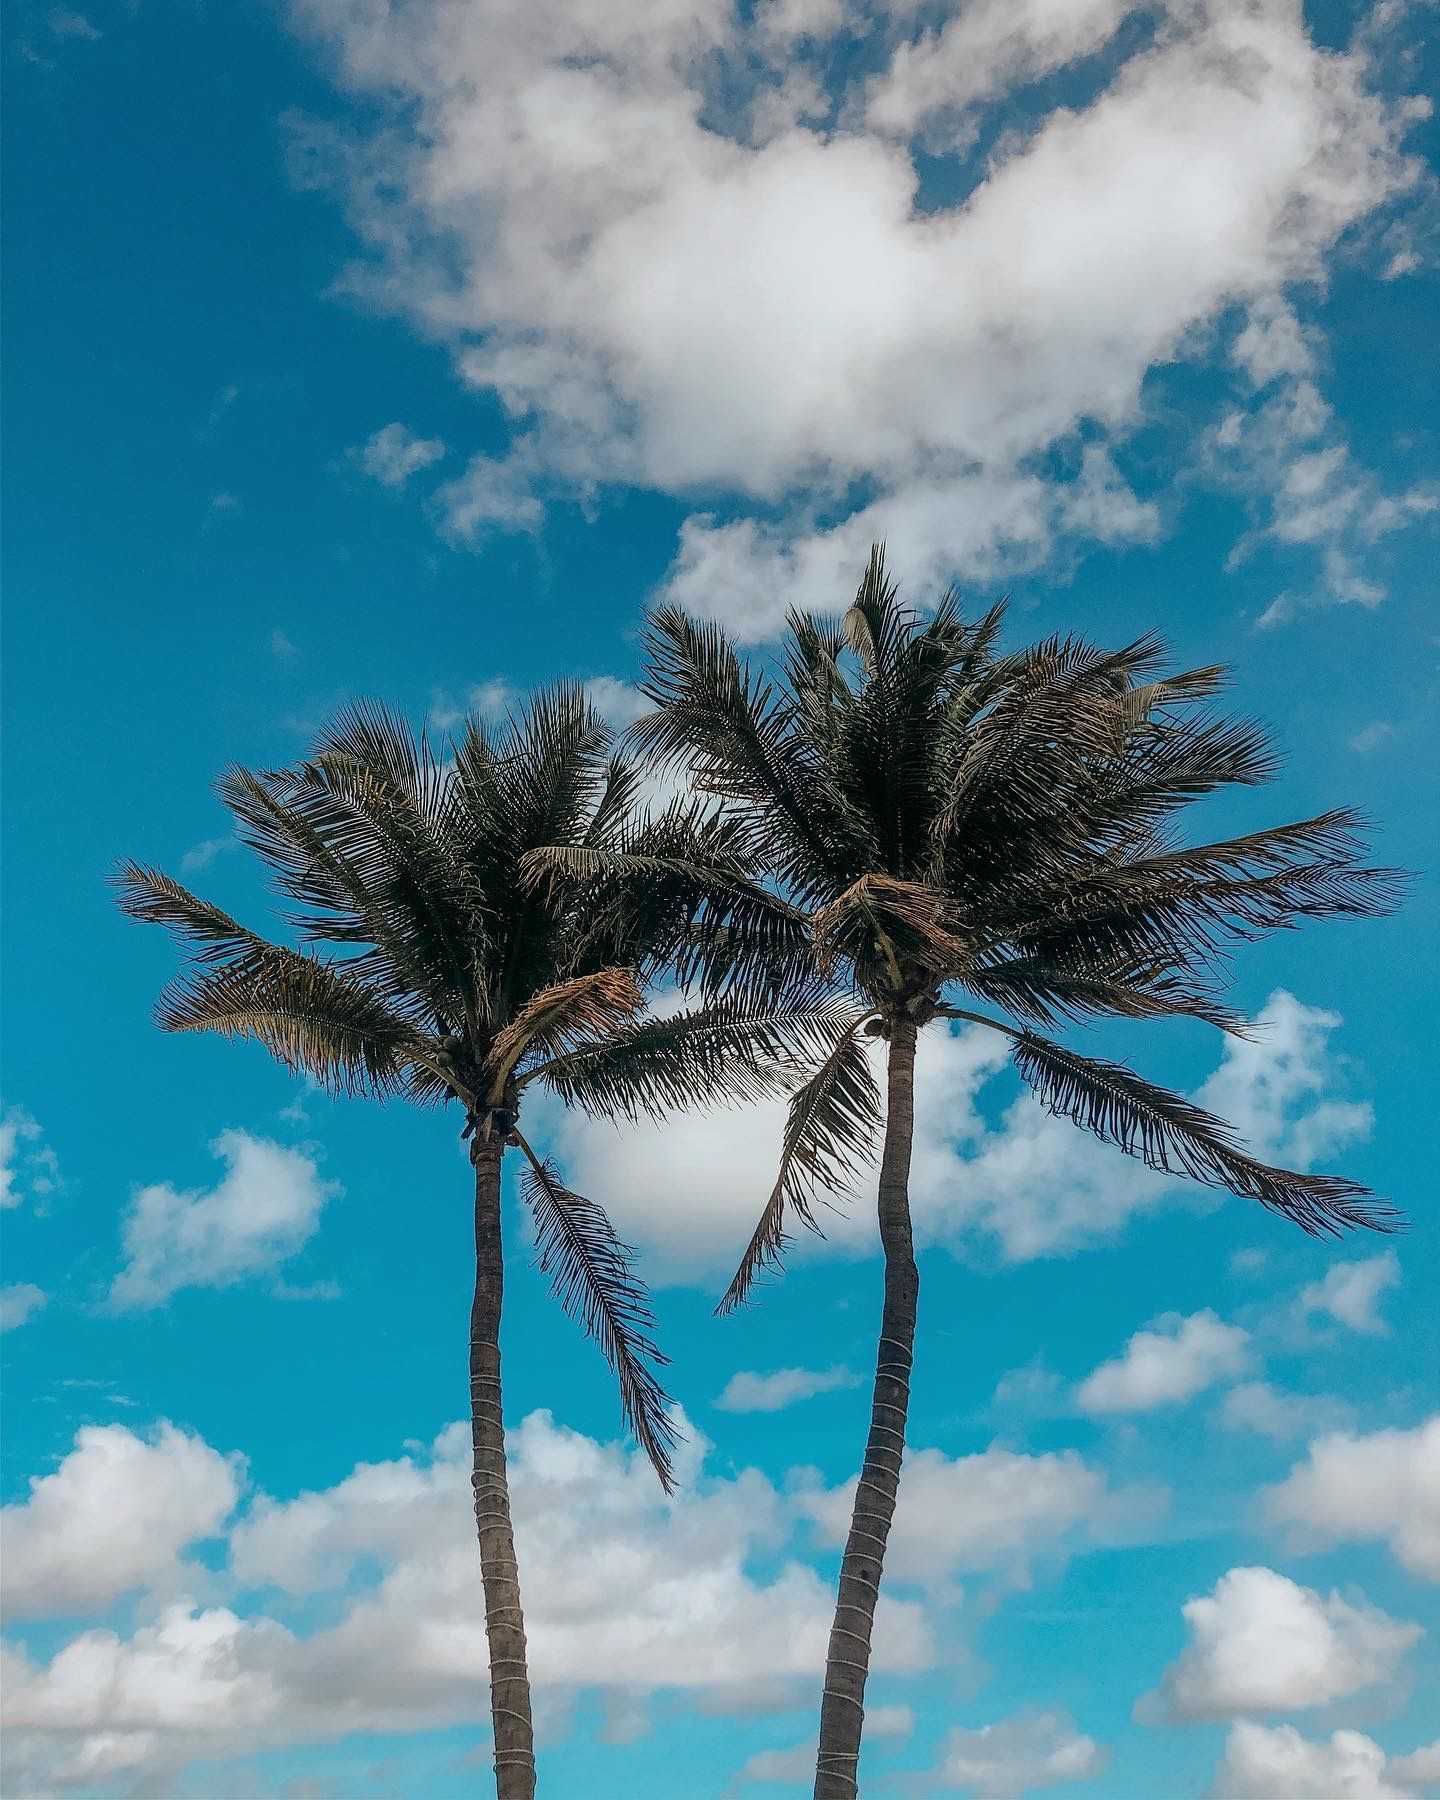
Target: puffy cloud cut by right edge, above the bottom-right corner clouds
{"x":1383,"y":1486}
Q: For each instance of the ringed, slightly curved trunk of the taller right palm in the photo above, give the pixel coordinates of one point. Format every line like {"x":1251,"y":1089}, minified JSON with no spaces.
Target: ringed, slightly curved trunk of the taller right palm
{"x":865,"y":1552}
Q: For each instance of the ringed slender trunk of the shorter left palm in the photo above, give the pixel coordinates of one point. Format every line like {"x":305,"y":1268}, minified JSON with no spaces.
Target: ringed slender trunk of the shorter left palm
{"x":505,"y":1621}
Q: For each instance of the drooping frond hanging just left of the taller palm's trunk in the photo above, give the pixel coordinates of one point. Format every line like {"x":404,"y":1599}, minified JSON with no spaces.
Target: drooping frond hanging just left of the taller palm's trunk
{"x":829,"y":1137}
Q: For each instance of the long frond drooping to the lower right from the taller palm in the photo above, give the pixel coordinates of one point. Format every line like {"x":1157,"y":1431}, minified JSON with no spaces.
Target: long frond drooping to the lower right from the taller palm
{"x":1176,"y":1137}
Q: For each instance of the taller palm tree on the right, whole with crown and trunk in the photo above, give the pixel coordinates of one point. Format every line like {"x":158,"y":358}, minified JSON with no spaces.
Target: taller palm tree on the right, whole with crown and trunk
{"x":948,"y":823}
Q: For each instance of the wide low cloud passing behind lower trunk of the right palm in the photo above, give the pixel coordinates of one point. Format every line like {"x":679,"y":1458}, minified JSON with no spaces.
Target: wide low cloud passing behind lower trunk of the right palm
{"x":991,"y":1511}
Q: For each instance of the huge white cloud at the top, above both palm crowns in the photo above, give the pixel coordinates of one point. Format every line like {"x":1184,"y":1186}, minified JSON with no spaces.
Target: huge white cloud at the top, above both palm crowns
{"x":580,"y":199}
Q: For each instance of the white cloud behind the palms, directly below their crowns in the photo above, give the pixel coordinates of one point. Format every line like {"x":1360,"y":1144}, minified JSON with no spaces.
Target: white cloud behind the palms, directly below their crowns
{"x":1032,"y":1183}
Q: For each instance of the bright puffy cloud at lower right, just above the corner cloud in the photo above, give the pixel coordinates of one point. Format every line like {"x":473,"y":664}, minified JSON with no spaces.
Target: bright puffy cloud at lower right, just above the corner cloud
{"x":1264,"y":1644}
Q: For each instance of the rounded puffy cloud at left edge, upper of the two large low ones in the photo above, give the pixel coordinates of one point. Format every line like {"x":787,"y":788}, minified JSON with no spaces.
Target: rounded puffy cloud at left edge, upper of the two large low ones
{"x":116,"y":1516}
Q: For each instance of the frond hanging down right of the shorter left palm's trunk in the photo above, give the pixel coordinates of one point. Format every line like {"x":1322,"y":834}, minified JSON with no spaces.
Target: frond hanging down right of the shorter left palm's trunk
{"x":593,"y":1279}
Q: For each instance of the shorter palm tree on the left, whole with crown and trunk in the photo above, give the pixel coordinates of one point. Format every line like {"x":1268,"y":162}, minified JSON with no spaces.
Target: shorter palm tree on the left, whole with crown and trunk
{"x":433,"y":964}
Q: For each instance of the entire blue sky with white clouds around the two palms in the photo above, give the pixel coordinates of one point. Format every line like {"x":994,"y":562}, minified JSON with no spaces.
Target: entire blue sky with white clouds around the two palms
{"x":413,"y":355}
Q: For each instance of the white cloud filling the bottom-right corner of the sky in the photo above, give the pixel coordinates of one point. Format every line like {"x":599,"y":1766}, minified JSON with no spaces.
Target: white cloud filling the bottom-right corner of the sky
{"x":1277,"y":1763}
